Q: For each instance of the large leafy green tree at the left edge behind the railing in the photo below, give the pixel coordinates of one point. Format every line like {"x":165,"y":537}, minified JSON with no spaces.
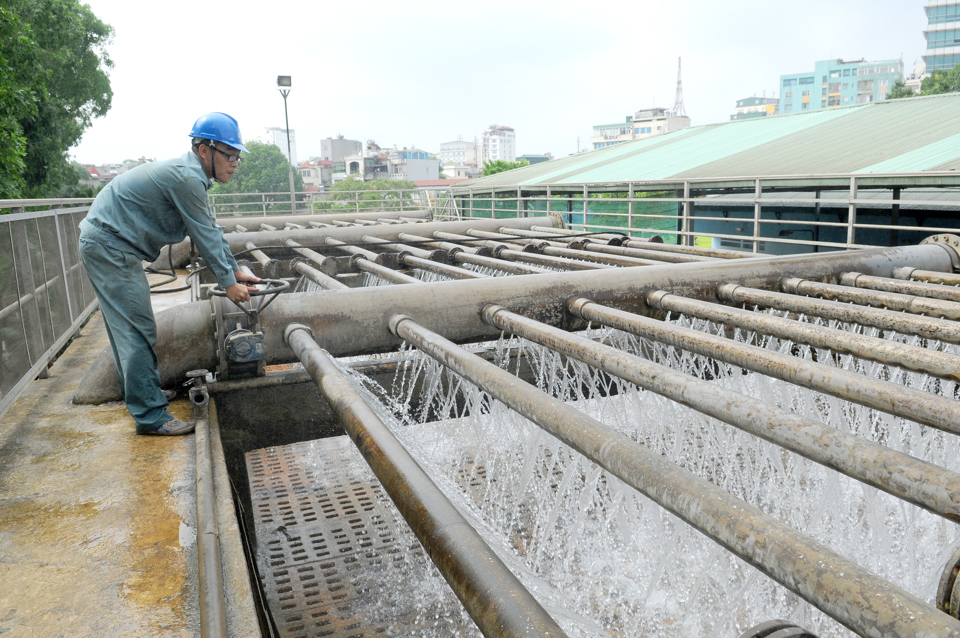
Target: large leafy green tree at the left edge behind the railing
{"x":53,"y":82}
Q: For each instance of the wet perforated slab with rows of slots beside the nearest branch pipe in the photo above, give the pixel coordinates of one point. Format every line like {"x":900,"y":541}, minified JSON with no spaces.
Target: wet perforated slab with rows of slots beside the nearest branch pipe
{"x":334,"y":554}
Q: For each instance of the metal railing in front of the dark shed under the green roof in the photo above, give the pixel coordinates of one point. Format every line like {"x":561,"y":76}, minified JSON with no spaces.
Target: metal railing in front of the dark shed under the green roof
{"x":763,"y":215}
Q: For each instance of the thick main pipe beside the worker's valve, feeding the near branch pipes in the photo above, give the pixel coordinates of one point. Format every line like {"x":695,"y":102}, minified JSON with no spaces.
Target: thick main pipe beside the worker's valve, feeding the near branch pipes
{"x":357,"y":321}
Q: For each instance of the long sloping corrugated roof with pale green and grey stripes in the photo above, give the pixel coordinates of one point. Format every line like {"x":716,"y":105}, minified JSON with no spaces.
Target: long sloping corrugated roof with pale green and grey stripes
{"x":908,"y":135}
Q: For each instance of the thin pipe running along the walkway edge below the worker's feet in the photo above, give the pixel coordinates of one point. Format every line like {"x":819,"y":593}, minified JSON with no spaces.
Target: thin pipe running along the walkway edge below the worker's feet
{"x":213,"y":613}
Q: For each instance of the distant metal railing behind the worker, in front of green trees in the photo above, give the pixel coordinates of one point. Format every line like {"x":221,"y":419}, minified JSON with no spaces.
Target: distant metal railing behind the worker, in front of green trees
{"x":437,"y":200}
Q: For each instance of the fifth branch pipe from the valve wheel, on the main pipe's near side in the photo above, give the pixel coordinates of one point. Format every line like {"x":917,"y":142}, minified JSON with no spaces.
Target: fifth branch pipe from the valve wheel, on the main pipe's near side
{"x":890,"y":352}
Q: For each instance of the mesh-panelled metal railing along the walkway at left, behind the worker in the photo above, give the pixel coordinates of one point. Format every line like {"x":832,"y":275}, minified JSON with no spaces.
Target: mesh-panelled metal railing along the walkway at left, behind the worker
{"x":44,"y":293}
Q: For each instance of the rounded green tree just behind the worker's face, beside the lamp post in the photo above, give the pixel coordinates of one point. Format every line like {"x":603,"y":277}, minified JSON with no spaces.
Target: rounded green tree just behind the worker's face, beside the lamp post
{"x":264,"y":169}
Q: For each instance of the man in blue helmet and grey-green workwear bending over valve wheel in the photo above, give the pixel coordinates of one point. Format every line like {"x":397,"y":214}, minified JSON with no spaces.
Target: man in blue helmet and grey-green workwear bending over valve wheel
{"x":131,"y":219}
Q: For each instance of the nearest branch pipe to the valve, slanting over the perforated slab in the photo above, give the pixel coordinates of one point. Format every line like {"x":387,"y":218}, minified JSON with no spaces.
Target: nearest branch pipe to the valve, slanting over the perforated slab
{"x":491,"y":594}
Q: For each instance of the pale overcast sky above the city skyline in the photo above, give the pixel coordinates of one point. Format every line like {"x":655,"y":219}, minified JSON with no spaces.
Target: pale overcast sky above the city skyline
{"x":419,"y":73}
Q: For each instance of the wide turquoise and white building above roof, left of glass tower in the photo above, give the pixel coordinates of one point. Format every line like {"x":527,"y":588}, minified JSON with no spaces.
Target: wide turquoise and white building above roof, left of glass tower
{"x":835,"y":83}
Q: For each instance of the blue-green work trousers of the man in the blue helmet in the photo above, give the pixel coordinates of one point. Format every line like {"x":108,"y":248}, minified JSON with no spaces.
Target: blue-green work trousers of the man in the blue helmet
{"x":124,"y":294}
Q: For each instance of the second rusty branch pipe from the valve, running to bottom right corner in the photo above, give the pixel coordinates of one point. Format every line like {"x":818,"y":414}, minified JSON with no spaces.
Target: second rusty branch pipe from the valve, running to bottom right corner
{"x":859,"y":599}
